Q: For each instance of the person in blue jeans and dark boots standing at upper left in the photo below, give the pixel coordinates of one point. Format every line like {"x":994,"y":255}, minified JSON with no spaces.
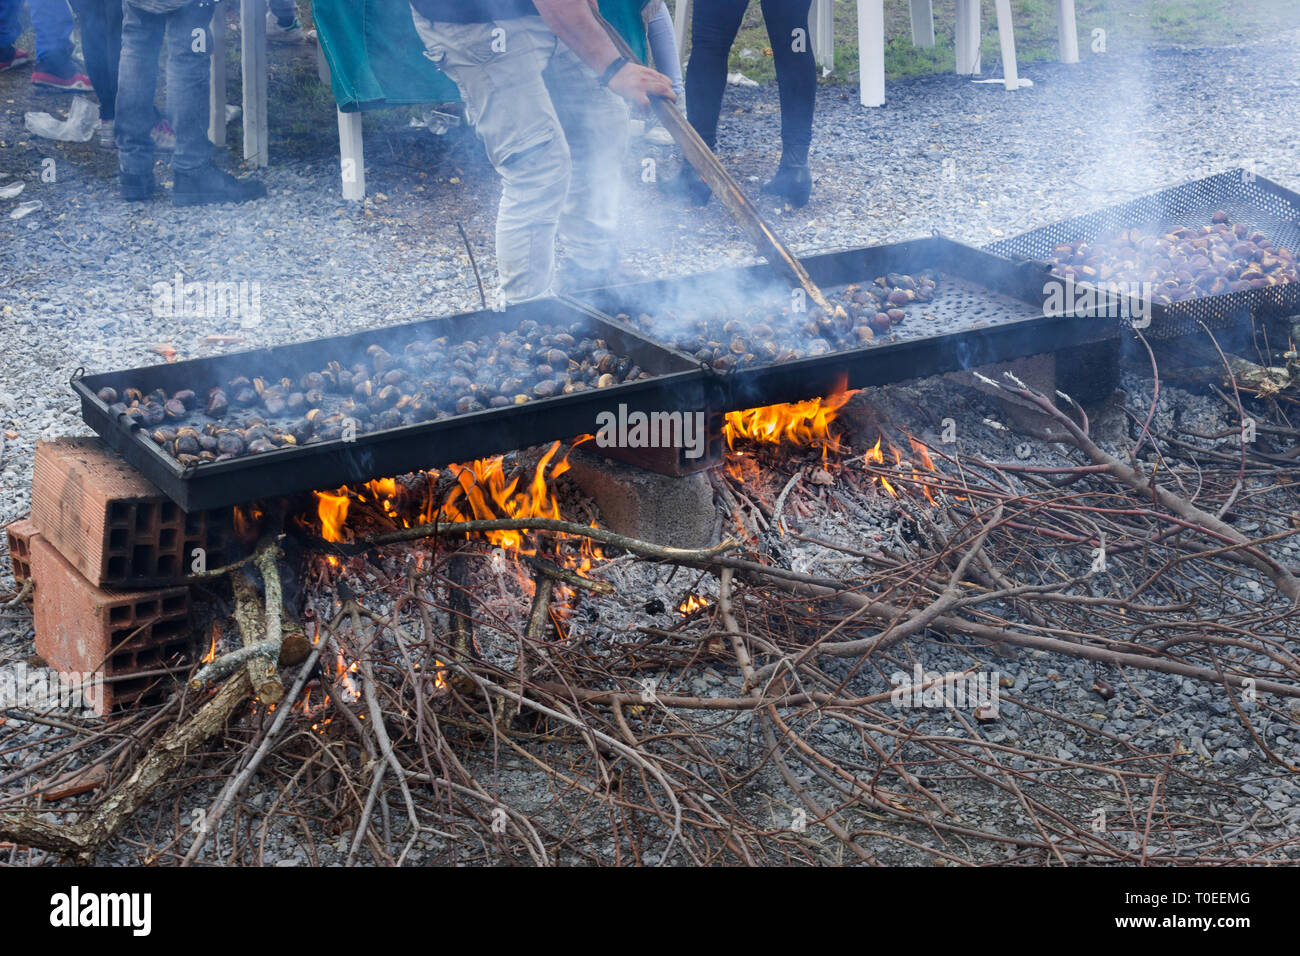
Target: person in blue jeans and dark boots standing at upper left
{"x":196,"y":179}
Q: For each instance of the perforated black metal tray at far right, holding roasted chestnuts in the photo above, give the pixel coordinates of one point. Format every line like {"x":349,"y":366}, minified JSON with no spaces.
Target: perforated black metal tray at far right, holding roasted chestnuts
{"x":1246,"y":197}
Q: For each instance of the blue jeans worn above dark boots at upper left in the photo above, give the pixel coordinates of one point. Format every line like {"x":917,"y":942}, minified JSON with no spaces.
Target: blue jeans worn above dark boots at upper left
{"x":187,"y":86}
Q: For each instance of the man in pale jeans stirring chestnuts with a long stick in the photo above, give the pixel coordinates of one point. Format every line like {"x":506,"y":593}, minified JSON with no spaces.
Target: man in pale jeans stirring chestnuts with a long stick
{"x":541,"y":84}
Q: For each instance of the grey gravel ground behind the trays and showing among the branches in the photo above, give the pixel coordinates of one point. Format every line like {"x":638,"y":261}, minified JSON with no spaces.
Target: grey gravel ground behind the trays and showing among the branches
{"x":968,"y":161}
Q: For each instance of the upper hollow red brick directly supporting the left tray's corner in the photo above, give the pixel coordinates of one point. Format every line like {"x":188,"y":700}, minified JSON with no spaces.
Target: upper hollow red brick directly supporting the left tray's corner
{"x":111,"y":522}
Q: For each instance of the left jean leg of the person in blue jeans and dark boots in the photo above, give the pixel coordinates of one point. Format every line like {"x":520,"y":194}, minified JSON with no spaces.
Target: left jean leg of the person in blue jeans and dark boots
{"x":142,"y":41}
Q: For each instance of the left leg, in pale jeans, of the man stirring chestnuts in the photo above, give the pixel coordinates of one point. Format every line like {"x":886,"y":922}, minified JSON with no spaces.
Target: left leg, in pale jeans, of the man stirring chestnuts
{"x":510,"y":109}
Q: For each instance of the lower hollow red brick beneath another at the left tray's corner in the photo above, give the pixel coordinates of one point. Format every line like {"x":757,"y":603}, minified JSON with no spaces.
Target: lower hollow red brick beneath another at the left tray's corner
{"x":86,"y":629}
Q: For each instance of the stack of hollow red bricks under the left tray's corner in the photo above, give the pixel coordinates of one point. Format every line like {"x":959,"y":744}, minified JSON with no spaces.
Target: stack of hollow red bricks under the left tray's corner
{"x":106,"y":551}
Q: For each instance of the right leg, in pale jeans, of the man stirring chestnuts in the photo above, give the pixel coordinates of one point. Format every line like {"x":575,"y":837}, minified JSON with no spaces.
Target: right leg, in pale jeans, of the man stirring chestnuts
{"x":596,"y":127}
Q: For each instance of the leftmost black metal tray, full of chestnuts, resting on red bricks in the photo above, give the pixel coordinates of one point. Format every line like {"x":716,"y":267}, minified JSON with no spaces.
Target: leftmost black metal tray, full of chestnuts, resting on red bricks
{"x":678,"y":386}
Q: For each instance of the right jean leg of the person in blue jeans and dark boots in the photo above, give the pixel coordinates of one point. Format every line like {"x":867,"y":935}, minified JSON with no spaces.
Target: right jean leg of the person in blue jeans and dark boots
{"x":188,"y":86}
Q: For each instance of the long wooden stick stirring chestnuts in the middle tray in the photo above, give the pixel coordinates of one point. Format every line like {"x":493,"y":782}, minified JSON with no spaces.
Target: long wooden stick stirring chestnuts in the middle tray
{"x":714,"y":174}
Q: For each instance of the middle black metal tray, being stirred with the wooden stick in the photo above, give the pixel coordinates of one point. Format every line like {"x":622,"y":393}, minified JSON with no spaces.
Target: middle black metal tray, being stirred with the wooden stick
{"x":993,"y":310}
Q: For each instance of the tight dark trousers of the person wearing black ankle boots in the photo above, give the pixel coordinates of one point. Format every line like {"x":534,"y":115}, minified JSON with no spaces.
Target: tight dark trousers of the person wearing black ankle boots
{"x":714,"y":27}
